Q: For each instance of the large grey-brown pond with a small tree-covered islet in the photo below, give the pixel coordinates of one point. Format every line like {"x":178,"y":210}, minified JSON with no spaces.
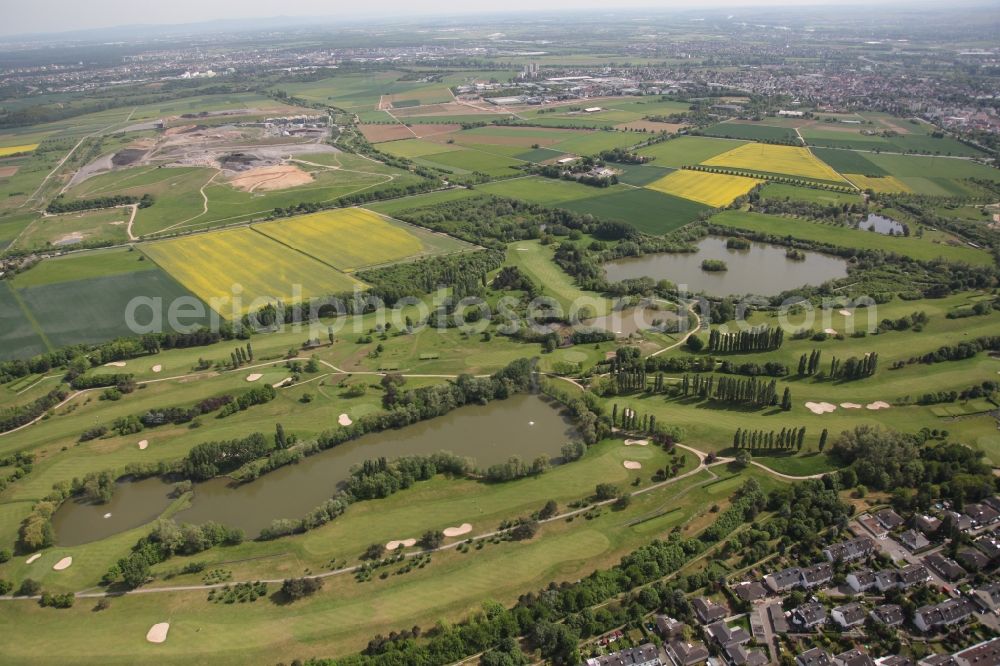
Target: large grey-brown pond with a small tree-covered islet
{"x":762,"y":269}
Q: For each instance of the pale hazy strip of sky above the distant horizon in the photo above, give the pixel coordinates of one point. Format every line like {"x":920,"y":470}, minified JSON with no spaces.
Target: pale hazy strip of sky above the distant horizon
{"x":28,"y":16}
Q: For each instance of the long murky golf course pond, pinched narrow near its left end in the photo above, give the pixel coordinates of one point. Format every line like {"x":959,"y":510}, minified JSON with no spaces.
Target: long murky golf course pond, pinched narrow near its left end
{"x":523,"y":425}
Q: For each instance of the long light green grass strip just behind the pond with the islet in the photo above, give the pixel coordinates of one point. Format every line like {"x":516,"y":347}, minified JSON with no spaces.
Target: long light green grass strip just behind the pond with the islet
{"x":918,"y":248}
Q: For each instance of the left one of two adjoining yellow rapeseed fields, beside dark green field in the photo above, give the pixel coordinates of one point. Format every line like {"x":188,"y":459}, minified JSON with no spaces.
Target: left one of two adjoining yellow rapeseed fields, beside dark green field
{"x":210,"y":264}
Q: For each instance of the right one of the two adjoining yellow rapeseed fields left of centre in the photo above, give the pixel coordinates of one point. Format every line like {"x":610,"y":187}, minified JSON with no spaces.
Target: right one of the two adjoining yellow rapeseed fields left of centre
{"x":348,"y":239}
